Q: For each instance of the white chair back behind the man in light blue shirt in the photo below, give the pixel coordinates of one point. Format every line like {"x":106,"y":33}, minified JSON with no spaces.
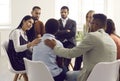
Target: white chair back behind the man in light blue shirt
{"x":37,"y":71}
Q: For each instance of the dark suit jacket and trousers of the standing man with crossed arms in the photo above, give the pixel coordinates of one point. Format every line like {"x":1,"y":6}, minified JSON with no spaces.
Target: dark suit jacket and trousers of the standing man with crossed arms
{"x":67,"y":38}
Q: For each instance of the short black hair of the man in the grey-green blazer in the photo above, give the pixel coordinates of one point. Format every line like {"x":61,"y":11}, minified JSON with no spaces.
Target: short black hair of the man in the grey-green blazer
{"x":102,"y":19}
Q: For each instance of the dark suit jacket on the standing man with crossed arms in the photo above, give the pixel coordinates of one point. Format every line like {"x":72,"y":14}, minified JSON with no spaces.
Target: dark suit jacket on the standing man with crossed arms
{"x":63,"y":35}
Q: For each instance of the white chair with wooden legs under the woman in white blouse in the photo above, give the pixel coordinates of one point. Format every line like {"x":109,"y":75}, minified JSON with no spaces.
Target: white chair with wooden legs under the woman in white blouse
{"x":17,"y":73}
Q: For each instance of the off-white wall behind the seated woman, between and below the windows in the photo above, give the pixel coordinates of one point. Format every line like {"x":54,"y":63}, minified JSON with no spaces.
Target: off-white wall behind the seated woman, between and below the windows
{"x":20,"y":8}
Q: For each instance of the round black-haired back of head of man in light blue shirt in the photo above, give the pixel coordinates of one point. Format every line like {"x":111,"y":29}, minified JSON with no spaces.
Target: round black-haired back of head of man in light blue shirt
{"x":51,"y":26}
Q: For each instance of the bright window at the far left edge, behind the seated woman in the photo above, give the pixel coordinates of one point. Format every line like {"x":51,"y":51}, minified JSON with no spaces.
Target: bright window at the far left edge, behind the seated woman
{"x":4,"y":13}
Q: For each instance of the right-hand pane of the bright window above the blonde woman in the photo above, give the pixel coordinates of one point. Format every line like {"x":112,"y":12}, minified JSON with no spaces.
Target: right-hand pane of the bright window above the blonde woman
{"x":97,"y":5}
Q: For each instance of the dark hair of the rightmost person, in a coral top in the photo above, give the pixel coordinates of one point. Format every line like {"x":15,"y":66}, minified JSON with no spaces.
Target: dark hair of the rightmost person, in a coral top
{"x":110,"y":29}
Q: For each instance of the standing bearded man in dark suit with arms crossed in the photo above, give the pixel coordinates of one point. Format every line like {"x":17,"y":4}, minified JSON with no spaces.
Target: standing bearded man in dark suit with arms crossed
{"x":66,"y":35}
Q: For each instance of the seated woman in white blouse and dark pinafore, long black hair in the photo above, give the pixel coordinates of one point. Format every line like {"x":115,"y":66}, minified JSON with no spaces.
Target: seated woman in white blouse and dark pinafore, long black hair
{"x":19,"y":46}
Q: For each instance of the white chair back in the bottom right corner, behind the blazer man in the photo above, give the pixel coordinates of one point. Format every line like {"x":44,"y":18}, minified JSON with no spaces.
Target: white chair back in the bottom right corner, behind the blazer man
{"x":105,"y":71}
